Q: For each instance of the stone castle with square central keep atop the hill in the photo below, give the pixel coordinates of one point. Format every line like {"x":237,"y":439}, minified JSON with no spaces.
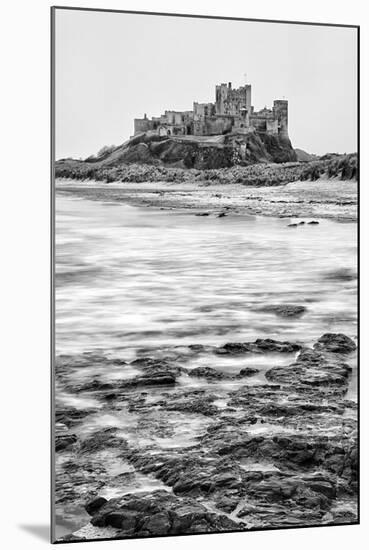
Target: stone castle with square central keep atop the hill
{"x":232,"y":113}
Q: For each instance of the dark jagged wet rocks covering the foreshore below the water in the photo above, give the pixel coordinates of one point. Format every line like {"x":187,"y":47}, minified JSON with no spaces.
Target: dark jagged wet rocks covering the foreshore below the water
{"x":165,"y":447}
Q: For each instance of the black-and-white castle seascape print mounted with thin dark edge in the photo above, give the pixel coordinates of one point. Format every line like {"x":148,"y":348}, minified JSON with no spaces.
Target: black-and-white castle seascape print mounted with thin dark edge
{"x":204,"y":297}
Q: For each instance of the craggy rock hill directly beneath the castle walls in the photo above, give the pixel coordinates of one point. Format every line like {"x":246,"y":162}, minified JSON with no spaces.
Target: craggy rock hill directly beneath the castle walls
{"x":199,"y":152}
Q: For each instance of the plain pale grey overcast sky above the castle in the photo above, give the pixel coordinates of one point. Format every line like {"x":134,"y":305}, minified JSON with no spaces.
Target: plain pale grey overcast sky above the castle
{"x":114,"y":67}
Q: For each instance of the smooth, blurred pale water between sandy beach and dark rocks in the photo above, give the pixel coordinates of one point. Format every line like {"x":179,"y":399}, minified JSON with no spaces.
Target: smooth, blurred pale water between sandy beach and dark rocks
{"x":131,"y":278}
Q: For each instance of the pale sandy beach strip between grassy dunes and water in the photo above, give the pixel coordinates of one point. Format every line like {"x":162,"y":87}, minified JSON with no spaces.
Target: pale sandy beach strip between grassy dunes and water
{"x":323,"y":199}
